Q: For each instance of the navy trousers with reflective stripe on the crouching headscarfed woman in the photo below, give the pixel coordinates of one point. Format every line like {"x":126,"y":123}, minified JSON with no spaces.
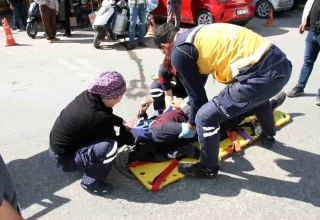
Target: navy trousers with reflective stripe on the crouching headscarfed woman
{"x":95,"y":160}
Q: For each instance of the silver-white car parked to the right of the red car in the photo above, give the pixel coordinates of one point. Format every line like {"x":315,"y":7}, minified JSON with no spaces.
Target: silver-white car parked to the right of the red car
{"x":263,"y":7}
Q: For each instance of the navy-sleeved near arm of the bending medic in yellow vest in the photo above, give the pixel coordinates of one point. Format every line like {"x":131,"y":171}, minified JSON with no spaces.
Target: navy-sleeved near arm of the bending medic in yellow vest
{"x":184,"y":59}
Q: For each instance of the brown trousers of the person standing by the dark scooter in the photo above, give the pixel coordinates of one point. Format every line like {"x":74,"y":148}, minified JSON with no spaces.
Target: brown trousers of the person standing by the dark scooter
{"x":49,"y":20}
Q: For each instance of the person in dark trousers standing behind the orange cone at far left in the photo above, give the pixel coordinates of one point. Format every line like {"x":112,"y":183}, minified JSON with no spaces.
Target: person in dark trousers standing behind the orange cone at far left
{"x":19,"y":13}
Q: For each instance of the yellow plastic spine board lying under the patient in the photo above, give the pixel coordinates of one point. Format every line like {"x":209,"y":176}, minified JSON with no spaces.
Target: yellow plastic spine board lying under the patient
{"x":147,"y":173}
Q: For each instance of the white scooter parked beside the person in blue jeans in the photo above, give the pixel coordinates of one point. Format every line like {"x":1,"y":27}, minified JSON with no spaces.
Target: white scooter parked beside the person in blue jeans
{"x":112,"y":22}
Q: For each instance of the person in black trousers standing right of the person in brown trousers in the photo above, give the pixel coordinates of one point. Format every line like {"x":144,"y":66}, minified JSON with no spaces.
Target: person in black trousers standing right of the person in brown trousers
{"x":65,"y":12}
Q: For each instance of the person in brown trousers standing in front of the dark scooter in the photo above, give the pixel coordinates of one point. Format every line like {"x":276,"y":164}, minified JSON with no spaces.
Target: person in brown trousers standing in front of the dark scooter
{"x":49,"y":10}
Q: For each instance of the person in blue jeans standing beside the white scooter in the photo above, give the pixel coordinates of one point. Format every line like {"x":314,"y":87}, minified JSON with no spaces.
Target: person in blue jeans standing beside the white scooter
{"x":138,"y":8}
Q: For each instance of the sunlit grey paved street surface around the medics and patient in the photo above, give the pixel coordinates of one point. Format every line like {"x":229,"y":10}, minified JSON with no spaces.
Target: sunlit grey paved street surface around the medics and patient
{"x":37,"y":80}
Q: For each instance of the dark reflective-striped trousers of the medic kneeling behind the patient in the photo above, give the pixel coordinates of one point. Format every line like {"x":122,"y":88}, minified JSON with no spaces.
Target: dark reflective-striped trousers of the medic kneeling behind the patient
{"x":158,"y":96}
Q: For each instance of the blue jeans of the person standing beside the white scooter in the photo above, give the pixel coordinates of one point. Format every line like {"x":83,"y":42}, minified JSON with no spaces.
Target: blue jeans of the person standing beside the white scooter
{"x":134,"y":13}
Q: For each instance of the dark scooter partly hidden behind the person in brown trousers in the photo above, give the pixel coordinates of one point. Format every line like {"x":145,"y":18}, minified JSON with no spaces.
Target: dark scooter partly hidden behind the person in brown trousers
{"x":34,"y":18}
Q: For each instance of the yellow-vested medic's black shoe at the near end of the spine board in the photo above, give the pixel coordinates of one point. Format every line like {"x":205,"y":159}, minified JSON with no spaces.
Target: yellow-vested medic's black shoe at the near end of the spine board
{"x":197,"y":170}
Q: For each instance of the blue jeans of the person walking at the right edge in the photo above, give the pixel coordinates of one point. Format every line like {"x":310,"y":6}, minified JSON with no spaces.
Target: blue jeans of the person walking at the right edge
{"x":310,"y":56}
